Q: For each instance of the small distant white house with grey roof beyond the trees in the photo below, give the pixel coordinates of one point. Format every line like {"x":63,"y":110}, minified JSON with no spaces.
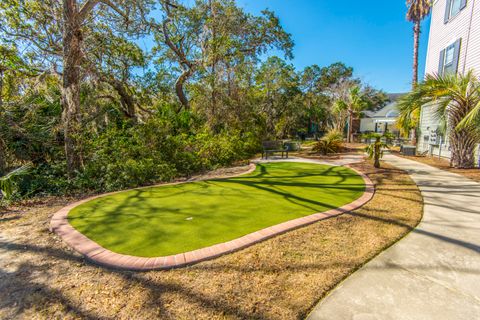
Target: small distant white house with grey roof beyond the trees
{"x":380,"y":121}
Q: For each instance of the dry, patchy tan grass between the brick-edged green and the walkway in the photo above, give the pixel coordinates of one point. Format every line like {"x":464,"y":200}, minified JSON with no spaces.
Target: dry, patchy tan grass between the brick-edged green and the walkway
{"x":281,"y":278}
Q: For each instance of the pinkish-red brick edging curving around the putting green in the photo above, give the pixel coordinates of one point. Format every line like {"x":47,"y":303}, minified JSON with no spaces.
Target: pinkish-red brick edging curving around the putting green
{"x":99,"y":255}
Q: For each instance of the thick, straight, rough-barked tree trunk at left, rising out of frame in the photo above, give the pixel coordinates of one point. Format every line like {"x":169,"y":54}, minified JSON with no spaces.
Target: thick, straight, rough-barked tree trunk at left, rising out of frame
{"x":72,"y":56}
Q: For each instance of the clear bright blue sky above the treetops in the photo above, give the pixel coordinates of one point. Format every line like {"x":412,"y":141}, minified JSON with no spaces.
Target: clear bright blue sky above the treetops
{"x":371,"y":36}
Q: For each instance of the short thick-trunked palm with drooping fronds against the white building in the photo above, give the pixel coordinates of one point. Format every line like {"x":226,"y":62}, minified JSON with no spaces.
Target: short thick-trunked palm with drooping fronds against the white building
{"x":456,"y":102}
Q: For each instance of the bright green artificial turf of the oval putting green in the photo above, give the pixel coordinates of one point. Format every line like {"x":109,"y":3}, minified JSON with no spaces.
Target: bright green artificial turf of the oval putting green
{"x":171,"y":219}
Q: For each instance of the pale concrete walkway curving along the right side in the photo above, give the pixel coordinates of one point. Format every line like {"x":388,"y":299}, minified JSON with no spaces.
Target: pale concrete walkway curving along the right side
{"x":434,"y":273}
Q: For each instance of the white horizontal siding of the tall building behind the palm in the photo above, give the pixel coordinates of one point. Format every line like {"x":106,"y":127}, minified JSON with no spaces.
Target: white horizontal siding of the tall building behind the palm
{"x":465,"y":26}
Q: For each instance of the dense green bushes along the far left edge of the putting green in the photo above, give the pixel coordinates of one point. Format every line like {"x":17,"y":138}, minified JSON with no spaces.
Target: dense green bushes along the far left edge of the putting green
{"x":166,"y":146}
